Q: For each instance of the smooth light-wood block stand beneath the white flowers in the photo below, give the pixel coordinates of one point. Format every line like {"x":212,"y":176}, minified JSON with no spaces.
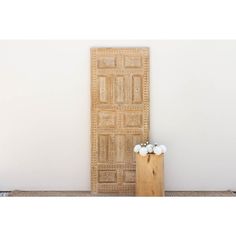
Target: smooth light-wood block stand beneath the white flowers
{"x":150,"y":175}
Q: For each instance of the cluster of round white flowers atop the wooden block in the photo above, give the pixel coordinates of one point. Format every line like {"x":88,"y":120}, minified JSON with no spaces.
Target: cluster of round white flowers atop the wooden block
{"x":147,"y":148}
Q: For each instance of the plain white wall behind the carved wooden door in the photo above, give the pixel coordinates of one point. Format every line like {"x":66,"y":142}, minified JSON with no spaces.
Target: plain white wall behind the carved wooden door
{"x":45,"y":113}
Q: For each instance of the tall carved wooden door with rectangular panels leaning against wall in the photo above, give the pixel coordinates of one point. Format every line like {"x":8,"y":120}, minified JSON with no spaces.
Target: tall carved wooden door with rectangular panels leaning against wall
{"x":120,"y":116}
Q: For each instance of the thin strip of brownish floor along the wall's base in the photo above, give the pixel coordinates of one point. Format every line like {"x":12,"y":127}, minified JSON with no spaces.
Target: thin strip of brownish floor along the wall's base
{"x":88,"y":194}
